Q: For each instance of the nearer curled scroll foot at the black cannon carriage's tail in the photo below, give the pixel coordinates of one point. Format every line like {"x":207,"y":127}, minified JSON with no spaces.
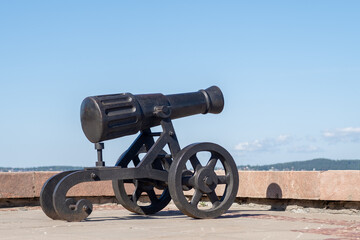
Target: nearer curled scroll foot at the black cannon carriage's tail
{"x":70,"y":209}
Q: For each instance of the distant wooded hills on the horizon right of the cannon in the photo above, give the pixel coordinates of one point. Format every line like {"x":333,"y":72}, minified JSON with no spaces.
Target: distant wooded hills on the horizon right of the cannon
{"x":320,"y":164}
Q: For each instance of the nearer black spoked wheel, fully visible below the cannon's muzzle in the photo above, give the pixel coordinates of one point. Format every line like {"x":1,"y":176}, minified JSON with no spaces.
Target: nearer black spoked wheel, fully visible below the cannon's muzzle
{"x":188,"y":173}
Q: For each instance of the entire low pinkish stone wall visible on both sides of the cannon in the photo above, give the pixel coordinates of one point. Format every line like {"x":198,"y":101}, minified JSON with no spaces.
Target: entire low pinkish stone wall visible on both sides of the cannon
{"x":306,"y":185}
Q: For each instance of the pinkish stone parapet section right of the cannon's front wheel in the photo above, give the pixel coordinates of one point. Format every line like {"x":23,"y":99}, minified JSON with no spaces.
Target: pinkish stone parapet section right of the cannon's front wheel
{"x":304,"y":185}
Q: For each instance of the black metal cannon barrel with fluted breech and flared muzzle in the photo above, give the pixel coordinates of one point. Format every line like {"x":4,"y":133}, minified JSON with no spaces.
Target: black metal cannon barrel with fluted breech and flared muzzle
{"x":107,"y":117}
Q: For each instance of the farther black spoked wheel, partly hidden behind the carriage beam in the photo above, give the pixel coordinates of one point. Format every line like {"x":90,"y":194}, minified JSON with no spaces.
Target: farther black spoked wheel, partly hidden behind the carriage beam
{"x":147,"y":187}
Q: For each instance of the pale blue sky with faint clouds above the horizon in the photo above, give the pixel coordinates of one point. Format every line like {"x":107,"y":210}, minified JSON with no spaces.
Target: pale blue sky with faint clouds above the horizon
{"x":289,"y":71}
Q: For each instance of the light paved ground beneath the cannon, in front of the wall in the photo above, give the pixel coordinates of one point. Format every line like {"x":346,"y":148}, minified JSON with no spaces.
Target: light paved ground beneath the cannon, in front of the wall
{"x":240,"y":222}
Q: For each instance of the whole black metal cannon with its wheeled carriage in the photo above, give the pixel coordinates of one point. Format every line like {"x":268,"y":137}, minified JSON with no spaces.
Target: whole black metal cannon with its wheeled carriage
{"x":154,"y":163}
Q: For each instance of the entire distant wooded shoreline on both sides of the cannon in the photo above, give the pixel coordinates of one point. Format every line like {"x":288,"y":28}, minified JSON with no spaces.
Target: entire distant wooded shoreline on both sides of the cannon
{"x":320,"y":164}
